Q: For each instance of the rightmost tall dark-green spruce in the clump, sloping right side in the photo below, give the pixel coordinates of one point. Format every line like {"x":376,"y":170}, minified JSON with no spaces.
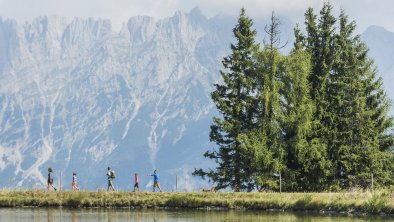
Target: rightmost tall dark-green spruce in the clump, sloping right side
{"x":360,"y":131}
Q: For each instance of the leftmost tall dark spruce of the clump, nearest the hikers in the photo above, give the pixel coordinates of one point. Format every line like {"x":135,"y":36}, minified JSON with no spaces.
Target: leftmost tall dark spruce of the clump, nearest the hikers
{"x":234,"y":101}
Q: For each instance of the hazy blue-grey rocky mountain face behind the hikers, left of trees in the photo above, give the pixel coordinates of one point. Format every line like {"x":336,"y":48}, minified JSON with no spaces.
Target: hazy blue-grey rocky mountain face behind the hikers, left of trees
{"x":77,"y":96}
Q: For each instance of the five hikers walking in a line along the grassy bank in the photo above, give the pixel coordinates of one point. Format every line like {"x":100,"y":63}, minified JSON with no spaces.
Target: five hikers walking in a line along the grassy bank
{"x":110,"y":176}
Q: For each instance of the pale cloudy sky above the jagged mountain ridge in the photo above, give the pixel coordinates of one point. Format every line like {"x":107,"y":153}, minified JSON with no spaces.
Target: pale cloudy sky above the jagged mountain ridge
{"x":364,"y":12}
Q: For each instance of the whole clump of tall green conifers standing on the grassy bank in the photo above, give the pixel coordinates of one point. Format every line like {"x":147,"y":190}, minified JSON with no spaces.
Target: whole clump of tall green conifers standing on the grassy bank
{"x":317,"y":117}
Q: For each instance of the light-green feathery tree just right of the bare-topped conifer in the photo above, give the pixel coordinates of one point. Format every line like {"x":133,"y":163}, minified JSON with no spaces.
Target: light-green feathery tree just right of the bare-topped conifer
{"x":306,"y":163}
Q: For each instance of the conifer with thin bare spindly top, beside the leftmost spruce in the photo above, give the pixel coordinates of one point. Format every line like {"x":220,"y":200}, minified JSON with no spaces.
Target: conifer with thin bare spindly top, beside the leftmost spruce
{"x":264,"y":144}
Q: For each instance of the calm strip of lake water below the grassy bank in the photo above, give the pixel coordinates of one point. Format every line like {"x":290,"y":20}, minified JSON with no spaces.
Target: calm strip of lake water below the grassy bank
{"x":111,"y":215}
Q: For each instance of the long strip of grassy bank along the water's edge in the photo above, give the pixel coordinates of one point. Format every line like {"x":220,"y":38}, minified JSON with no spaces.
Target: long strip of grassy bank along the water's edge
{"x":350,"y":202}
